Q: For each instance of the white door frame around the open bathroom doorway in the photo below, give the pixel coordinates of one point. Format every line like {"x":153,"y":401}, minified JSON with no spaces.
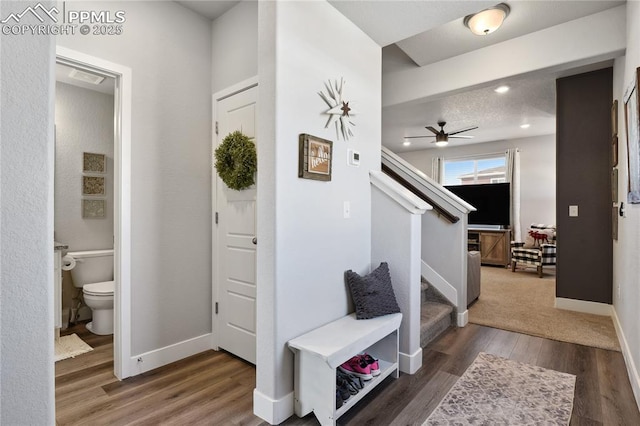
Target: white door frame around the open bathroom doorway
{"x":122,"y":199}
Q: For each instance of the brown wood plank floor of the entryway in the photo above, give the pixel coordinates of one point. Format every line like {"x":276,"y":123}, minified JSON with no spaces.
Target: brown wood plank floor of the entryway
{"x":215,"y":388}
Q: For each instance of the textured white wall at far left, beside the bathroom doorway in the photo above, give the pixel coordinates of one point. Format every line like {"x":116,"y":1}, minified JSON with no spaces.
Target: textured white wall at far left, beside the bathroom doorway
{"x":26,"y":227}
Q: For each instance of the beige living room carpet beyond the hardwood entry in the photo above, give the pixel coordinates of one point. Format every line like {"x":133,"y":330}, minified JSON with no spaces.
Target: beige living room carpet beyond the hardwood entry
{"x":521,"y":301}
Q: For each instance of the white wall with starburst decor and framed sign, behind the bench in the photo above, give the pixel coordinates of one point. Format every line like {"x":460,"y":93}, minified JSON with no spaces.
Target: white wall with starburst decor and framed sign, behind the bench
{"x":305,"y":243}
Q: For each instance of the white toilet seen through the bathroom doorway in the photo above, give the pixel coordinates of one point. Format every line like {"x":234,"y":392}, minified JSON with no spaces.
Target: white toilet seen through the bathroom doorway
{"x":93,"y":273}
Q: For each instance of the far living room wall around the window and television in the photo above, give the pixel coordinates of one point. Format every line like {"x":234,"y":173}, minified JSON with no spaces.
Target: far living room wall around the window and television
{"x":537,"y":172}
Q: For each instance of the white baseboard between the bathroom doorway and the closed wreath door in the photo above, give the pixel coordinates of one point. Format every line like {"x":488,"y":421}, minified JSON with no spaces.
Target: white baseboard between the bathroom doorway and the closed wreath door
{"x":141,"y":363}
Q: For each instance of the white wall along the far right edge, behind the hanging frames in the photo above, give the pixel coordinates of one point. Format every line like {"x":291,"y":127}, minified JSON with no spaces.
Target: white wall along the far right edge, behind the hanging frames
{"x":626,"y":269}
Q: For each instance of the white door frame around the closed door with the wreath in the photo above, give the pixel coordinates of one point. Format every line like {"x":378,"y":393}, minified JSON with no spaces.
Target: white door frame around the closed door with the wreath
{"x":215,"y":285}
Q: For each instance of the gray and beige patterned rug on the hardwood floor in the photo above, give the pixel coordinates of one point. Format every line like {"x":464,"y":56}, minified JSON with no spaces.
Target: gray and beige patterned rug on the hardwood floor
{"x":498,"y":391}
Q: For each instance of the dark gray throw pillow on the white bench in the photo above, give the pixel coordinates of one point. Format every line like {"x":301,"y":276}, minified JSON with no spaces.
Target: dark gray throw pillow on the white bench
{"x":373,"y":293}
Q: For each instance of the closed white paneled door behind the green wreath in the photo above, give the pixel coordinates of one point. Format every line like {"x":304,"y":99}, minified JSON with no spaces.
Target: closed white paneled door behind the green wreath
{"x":236,"y":238}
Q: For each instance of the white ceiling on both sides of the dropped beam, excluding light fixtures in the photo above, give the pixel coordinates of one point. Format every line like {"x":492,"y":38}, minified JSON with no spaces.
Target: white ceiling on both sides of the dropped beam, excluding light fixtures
{"x":531,"y":99}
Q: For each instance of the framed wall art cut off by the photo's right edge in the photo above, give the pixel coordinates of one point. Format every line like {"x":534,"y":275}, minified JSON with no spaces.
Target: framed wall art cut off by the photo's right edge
{"x":632,"y":125}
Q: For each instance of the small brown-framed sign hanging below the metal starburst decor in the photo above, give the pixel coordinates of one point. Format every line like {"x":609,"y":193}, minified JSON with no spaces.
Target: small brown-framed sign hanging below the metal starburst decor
{"x":315,"y":157}
